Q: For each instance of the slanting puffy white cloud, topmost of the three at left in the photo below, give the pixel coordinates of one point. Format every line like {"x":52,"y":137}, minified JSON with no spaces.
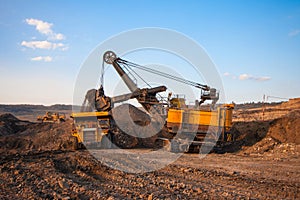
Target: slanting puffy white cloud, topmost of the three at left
{"x":45,"y":29}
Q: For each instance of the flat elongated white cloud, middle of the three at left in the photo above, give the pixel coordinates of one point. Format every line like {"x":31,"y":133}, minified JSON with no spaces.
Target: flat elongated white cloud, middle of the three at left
{"x":43,"y":45}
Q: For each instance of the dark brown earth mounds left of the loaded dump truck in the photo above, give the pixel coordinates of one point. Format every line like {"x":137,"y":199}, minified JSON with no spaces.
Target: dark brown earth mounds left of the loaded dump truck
{"x":23,"y":136}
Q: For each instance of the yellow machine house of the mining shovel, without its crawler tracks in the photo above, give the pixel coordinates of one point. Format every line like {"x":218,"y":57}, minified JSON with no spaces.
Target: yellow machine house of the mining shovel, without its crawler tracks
{"x":213,"y":125}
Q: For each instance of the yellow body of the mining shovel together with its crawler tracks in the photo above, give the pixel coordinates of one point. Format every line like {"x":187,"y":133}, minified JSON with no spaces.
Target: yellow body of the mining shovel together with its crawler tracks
{"x":199,"y":127}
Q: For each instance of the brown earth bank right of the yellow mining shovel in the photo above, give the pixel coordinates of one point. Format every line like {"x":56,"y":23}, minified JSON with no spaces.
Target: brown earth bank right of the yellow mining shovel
{"x":279,"y":136}
